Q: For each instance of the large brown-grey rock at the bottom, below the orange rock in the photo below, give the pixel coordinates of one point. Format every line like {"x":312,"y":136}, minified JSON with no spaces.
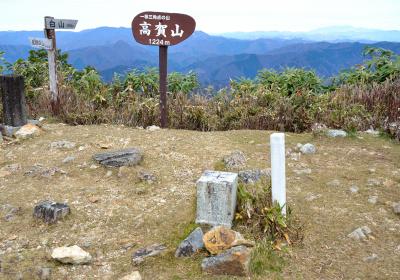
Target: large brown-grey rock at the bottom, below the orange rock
{"x":234,"y":261}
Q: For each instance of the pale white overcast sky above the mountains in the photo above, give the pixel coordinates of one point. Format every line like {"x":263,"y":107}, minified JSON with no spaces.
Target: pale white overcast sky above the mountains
{"x":212,"y":16}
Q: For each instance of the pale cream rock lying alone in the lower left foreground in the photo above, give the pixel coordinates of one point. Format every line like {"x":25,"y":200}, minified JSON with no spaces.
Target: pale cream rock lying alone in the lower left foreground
{"x":71,"y":255}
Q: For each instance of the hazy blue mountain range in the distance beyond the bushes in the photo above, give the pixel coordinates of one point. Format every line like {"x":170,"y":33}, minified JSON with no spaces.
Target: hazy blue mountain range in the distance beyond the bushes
{"x":215,"y":58}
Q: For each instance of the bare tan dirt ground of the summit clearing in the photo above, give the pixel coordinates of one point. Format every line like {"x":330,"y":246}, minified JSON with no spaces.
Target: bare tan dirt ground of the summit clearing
{"x":114,"y":215}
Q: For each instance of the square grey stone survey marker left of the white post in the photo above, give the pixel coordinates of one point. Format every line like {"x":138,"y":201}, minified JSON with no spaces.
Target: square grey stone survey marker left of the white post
{"x":216,"y":198}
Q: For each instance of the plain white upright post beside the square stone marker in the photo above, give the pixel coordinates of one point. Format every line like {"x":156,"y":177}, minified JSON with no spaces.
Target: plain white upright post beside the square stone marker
{"x":278,"y":172}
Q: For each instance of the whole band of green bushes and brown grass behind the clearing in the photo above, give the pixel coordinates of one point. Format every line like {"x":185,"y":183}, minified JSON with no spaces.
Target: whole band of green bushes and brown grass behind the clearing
{"x":290,"y":100}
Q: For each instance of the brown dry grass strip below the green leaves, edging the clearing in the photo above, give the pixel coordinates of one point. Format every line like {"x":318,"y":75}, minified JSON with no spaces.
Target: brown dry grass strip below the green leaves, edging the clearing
{"x":354,"y":108}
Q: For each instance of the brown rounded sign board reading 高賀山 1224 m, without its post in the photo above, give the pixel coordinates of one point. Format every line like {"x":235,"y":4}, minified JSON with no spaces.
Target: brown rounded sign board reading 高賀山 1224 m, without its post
{"x":162,"y":29}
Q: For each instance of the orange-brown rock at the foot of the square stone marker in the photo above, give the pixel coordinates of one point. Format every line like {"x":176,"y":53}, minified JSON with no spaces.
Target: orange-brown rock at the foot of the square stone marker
{"x":220,"y":239}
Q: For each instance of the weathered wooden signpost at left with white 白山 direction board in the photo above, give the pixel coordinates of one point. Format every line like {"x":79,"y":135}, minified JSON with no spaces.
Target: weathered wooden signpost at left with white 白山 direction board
{"x":51,"y":24}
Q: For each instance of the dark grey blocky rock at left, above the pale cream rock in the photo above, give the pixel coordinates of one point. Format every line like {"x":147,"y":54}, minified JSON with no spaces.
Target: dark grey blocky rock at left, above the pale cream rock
{"x":50,"y":212}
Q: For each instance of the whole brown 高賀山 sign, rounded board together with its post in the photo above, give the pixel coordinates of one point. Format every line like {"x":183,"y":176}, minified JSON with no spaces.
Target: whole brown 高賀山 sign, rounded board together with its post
{"x":163,"y":30}
